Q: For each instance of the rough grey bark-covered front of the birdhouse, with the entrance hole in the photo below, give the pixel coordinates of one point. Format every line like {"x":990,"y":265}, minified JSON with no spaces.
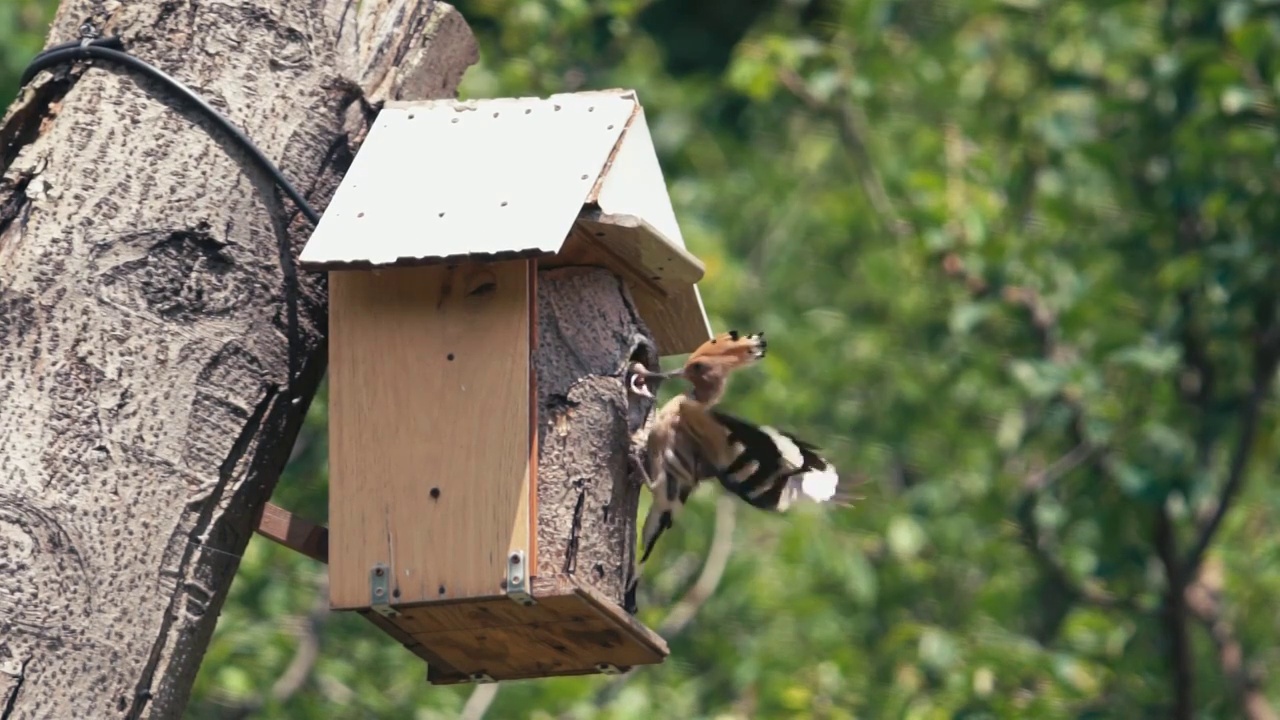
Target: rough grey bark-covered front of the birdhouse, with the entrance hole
{"x":588,"y":494}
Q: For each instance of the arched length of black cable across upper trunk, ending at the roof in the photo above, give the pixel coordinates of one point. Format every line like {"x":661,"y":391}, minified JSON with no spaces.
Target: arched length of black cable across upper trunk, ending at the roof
{"x":112,"y":49}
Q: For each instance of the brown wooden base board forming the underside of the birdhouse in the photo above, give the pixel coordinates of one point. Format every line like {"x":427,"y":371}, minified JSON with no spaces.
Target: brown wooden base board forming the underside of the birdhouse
{"x":572,"y":631}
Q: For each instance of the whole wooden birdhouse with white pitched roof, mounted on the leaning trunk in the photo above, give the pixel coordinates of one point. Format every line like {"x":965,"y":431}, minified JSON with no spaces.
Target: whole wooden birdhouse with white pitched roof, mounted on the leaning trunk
{"x":479,"y":499}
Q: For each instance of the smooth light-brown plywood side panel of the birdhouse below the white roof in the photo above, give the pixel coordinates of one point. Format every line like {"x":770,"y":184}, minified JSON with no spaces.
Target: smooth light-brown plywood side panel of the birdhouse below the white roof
{"x":429,"y":430}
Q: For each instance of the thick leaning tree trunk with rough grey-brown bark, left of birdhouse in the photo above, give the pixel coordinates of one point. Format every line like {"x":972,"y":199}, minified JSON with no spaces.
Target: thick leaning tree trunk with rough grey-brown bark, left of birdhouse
{"x":147,"y":403}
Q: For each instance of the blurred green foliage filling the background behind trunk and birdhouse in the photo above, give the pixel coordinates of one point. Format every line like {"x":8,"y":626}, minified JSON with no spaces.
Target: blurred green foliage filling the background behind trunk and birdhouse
{"x":1018,"y":262}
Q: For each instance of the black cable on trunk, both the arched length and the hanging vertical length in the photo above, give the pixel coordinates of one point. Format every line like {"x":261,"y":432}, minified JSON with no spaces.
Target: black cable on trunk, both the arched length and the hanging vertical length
{"x":113,"y":49}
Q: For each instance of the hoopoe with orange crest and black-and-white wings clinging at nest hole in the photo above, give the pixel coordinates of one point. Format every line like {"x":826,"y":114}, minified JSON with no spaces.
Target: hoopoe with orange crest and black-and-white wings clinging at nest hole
{"x":691,"y":441}
